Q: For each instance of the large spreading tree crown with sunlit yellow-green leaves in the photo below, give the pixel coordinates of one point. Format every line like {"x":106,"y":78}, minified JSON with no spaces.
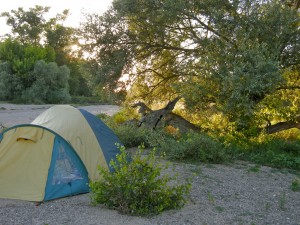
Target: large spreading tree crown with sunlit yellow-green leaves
{"x":237,"y":58}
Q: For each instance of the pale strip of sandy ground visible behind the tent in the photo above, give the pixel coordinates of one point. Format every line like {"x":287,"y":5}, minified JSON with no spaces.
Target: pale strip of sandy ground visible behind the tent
{"x":11,"y":114}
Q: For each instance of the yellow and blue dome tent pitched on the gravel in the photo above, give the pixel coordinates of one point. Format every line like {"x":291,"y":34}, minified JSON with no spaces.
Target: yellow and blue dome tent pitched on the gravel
{"x":55,"y":156}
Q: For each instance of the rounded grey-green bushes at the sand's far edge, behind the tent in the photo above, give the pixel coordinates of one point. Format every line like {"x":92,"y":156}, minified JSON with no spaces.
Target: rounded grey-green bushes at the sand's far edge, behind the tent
{"x":49,"y":84}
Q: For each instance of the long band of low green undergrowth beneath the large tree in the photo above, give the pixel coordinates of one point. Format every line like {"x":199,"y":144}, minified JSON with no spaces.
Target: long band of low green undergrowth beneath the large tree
{"x":224,"y":145}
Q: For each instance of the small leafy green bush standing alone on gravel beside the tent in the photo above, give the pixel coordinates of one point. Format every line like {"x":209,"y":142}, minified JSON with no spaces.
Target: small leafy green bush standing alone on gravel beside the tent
{"x":138,"y":186}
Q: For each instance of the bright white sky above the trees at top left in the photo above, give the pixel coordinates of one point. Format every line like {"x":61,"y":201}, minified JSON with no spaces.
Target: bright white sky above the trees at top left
{"x":57,"y":6}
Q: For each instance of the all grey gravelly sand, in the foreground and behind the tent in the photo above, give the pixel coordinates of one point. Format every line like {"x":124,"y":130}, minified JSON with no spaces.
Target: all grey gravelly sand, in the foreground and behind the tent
{"x":220,"y":194}
